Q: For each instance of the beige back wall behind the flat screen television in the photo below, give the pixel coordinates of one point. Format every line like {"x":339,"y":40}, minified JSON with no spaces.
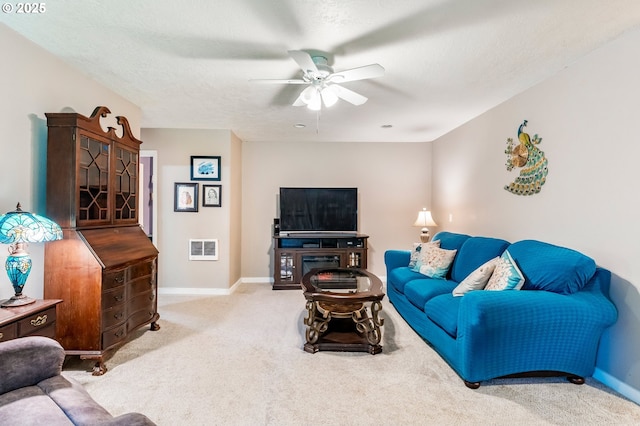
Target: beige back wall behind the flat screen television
{"x":393,"y":181}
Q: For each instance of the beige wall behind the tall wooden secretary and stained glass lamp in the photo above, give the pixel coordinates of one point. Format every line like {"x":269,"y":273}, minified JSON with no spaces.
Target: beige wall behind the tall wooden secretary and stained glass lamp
{"x":34,"y":82}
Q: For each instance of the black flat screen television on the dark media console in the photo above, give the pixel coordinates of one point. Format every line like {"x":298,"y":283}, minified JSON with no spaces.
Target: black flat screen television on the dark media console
{"x":319,"y":210}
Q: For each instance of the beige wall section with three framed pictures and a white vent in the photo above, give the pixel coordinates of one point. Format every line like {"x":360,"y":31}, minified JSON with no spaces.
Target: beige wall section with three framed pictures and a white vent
{"x":174,"y":229}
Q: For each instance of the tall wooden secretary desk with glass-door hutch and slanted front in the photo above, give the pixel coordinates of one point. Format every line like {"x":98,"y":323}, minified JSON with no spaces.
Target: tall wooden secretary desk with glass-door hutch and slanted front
{"x":105,"y":267}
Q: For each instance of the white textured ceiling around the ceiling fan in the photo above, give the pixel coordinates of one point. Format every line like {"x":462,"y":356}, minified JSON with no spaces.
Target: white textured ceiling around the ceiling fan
{"x":188,"y":64}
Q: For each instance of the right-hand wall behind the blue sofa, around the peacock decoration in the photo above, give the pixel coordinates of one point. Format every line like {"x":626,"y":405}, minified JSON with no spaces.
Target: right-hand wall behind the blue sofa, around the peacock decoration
{"x":587,"y":116}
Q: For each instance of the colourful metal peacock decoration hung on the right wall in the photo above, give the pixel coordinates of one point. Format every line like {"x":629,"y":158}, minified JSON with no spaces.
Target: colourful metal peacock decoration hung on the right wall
{"x":530,"y":159}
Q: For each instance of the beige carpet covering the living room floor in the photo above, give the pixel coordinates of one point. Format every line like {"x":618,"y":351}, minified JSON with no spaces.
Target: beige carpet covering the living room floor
{"x":238,"y":360}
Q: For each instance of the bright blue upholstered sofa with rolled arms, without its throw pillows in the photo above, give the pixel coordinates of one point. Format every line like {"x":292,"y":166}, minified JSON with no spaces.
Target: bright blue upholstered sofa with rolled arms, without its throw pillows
{"x":552,"y":325}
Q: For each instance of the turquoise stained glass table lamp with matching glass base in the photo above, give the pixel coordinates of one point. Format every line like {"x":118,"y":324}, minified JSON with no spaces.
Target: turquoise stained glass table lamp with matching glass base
{"x":18,"y":228}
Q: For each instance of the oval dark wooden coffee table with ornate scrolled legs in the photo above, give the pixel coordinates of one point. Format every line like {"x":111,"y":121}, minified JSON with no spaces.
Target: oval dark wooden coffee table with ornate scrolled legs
{"x":343,"y":306}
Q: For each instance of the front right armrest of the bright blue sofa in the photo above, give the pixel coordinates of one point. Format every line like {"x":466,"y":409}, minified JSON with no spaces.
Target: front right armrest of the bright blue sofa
{"x":513,"y":331}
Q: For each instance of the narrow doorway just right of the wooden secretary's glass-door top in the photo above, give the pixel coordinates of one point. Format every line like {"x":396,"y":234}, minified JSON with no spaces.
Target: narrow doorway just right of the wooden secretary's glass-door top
{"x":148,"y":207}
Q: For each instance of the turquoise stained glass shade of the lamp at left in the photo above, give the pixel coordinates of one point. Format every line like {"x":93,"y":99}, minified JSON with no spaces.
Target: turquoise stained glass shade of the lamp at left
{"x":23,"y":227}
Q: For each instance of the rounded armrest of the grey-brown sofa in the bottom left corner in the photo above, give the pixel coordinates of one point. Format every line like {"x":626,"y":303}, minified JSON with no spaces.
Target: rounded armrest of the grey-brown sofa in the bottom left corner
{"x":29,"y":360}
